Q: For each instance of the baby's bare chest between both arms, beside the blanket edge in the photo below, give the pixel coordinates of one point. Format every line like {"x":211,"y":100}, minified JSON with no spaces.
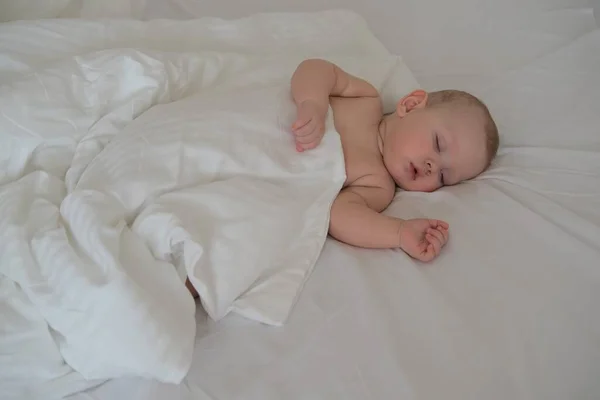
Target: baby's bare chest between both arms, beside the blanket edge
{"x":357,"y":121}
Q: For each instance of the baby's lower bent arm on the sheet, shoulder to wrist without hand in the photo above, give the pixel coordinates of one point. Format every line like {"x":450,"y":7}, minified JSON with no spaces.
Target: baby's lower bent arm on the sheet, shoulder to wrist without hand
{"x":356,"y":219}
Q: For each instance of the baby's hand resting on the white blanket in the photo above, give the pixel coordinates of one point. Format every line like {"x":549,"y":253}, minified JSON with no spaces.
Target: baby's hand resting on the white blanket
{"x":309,"y":126}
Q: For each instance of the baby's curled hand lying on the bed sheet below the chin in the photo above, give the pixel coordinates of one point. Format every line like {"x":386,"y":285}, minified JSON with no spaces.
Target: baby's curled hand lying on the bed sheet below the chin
{"x":423,"y":239}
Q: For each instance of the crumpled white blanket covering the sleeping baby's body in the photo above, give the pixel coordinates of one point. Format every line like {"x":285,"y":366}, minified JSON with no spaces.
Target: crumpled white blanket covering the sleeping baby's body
{"x":134,"y":154}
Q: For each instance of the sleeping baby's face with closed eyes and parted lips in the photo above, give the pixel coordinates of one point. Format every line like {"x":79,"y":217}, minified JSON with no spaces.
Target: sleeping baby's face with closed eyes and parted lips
{"x":433,"y":147}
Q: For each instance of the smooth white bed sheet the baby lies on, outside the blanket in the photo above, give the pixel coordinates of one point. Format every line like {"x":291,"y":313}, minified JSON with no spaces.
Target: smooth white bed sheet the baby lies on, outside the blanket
{"x":509,"y":309}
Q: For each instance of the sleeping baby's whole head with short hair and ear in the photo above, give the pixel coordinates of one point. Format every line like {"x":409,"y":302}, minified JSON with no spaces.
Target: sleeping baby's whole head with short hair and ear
{"x":437,"y":139}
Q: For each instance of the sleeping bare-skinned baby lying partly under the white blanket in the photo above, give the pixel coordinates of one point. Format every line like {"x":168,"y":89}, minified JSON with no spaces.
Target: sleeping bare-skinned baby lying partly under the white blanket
{"x":431,"y":140}
